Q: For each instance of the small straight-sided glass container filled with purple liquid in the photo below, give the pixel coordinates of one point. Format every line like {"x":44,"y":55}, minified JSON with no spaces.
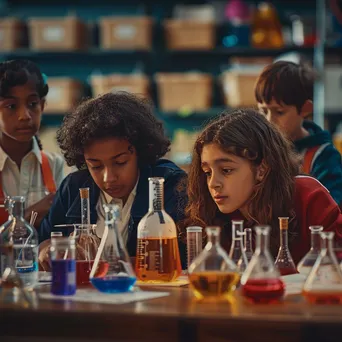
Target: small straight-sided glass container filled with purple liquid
{"x":63,"y":266}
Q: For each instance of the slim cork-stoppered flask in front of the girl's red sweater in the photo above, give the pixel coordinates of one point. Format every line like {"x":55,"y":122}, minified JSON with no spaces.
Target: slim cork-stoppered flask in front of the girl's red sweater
{"x":284,"y":260}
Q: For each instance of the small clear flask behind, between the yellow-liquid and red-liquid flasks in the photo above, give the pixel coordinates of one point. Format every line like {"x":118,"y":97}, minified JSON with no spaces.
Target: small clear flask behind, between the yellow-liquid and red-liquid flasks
{"x":237,"y":253}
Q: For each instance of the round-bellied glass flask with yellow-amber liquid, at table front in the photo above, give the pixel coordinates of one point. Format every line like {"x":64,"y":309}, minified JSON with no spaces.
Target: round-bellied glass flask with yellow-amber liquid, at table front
{"x":213,"y":275}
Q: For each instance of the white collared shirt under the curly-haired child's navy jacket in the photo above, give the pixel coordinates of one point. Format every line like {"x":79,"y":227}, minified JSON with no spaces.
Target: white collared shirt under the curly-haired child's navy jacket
{"x":125,"y":212}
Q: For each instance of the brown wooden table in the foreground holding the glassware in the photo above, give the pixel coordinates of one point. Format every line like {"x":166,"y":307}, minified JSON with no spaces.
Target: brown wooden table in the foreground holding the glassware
{"x":177,"y":317}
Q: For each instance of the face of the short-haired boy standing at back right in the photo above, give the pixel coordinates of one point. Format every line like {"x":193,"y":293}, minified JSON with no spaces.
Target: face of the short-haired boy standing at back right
{"x":285,"y":117}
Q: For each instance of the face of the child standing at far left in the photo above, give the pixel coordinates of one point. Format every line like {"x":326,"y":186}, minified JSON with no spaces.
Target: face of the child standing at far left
{"x":20,"y":112}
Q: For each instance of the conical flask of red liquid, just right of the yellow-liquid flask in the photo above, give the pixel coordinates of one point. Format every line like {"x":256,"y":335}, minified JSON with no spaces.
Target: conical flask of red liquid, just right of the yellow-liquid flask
{"x":261,"y":281}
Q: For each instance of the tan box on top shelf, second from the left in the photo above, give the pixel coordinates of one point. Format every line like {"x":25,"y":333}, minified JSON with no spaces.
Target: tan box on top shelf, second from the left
{"x":58,"y":34}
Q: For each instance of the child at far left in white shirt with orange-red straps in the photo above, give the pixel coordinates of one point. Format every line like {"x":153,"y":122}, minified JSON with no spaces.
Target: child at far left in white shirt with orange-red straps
{"x":24,"y":167}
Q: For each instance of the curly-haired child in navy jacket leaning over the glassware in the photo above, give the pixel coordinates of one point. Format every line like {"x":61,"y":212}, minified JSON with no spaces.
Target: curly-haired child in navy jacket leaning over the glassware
{"x":116,"y":143}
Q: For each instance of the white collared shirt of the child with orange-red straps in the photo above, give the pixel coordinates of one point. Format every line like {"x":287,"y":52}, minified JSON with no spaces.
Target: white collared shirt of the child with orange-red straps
{"x":28,"y":181}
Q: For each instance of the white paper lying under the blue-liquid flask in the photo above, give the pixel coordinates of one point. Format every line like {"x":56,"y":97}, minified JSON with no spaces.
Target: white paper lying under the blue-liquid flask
{"x":93,"y":296}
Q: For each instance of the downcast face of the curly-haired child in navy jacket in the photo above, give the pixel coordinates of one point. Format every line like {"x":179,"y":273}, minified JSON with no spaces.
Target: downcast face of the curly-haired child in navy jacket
{"x":113,"y":165}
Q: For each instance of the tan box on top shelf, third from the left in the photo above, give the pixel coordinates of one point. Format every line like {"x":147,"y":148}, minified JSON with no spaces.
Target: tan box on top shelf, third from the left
{"x":126,"y":33}
